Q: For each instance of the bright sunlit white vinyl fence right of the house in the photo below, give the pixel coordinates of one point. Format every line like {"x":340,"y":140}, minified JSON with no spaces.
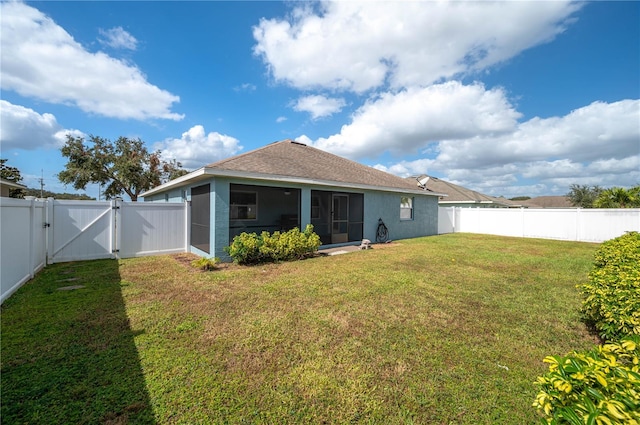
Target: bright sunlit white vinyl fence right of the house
{"x":572,"y":224}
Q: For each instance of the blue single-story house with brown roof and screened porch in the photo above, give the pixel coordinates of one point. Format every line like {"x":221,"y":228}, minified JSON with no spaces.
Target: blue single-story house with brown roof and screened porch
{"x":288,"y":184}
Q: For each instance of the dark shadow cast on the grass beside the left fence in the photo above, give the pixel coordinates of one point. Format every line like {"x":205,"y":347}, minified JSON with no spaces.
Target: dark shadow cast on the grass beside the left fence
{"x":68,"y":356}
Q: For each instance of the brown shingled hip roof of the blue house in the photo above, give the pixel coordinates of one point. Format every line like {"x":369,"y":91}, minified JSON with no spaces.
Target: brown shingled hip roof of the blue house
{"x":294,"y":162}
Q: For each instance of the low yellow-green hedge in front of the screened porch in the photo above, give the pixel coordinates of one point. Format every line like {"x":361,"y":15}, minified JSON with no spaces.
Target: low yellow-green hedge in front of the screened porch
{"x":250,"y":248}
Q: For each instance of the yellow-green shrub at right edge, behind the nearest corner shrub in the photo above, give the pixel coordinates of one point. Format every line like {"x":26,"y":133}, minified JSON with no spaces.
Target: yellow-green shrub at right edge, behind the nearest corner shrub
{"x":612,"y":295}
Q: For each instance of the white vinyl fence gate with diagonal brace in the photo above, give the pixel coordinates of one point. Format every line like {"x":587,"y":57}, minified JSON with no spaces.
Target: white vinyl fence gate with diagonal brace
{"x":81,"y":230}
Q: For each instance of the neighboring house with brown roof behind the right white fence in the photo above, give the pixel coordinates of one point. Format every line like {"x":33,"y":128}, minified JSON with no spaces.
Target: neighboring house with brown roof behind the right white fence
{"x":458,"y":196}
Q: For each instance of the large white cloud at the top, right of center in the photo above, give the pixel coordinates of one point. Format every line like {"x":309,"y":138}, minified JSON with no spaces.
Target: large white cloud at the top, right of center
{"x":359,"y":46}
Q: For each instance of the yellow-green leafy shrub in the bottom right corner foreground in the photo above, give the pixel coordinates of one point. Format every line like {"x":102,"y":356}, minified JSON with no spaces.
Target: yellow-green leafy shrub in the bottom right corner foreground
{"x":601,"y":386}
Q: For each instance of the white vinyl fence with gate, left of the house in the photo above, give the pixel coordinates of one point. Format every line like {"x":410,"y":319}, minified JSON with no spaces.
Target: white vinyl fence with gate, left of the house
{"x":36,"y":233}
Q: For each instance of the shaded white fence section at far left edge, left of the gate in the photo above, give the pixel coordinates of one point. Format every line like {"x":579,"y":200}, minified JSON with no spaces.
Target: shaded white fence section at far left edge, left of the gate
{"x":22,"y":243}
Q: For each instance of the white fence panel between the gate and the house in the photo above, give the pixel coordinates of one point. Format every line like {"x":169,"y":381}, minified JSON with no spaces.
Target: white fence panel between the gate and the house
{"x":146,"y":228}
